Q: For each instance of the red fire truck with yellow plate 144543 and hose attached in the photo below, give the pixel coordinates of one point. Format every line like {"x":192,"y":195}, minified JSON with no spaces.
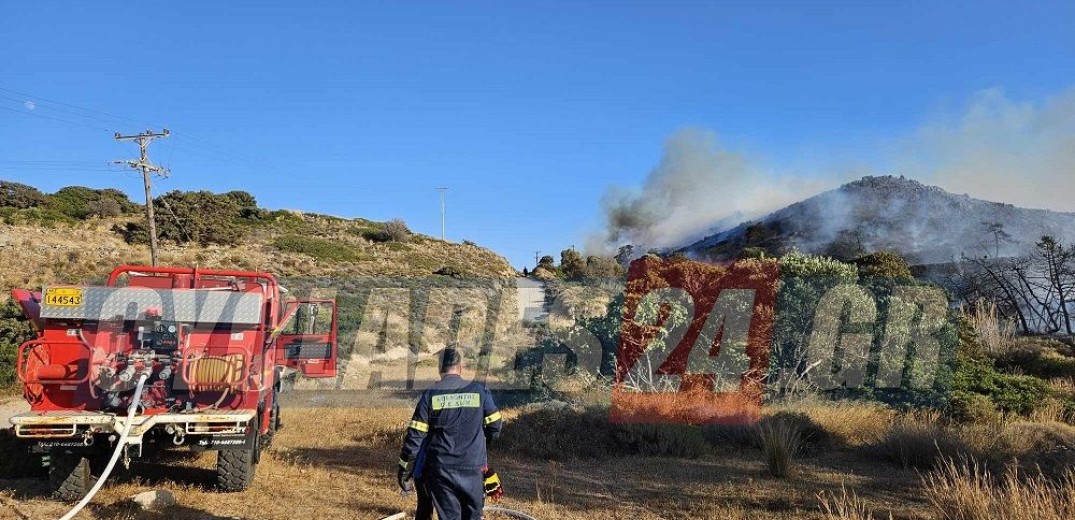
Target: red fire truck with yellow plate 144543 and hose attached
{"x":207,"y":350}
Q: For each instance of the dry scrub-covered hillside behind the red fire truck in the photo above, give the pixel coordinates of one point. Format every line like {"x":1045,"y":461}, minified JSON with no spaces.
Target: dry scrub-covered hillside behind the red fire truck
{"x":40,"y":244}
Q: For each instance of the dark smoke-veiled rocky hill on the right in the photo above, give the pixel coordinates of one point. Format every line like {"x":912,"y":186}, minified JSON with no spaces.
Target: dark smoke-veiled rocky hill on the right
{"x":924,"y":224}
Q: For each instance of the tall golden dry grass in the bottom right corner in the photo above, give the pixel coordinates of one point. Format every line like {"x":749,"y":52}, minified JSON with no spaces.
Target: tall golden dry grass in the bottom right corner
{"x":968,"y":492}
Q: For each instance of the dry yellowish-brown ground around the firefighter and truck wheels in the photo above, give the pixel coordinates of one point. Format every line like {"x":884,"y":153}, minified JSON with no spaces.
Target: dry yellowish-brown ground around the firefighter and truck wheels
{"x":339,"y":464}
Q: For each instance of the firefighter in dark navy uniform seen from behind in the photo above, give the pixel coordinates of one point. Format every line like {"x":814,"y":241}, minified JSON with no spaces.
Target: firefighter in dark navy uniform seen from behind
{"x":452,"y":426}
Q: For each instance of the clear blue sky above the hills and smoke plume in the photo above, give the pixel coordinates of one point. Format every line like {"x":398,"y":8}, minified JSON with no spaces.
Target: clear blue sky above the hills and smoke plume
{"x":528,"y":111}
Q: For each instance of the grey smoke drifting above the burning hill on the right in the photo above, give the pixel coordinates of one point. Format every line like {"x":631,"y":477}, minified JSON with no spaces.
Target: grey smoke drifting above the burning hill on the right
{"x":993,"y":148}
